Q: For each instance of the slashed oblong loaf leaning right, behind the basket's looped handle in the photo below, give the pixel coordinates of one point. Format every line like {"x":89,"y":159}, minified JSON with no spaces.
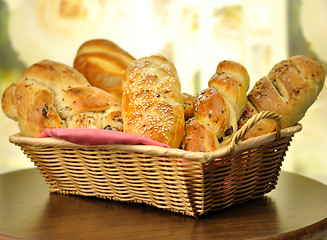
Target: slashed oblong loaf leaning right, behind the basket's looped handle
{"x":289,"y":89}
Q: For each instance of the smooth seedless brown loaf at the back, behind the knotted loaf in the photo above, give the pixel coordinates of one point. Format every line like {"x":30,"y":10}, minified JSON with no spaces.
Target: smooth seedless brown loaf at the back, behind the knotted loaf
{"x":103,"y":64}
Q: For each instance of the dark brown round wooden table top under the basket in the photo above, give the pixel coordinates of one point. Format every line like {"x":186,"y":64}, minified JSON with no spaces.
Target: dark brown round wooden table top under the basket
{"x":296,"y":209}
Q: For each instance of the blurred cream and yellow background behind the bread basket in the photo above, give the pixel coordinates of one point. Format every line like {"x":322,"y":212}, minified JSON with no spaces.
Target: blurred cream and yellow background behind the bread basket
{"x":194,"y":35}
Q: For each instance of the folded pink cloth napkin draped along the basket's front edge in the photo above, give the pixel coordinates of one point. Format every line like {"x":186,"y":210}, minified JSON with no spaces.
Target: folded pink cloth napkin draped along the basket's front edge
{"x":84,"y":136}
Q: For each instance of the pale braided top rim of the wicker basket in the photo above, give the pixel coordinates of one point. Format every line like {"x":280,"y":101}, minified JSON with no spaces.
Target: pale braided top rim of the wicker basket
{"x":18,"y":139}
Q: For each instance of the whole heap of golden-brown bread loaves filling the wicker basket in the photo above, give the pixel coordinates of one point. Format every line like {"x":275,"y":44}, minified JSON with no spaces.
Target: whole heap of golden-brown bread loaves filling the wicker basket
{"x":107,"y":88}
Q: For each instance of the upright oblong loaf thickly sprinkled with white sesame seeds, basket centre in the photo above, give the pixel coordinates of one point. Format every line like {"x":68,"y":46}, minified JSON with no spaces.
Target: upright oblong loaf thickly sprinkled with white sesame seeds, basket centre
{"x":152,"y":103}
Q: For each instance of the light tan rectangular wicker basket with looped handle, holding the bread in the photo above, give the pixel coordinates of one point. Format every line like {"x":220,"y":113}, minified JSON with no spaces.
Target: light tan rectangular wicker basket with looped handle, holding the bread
{"x":191,"y":183}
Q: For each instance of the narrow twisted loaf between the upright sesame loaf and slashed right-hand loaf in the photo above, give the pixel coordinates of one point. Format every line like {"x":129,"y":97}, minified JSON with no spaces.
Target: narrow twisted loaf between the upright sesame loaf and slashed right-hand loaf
{"x":217,"y":109}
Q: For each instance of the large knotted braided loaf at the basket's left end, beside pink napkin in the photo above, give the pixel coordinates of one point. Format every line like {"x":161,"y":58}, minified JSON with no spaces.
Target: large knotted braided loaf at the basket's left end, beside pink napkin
{"x":54,"y":95}
